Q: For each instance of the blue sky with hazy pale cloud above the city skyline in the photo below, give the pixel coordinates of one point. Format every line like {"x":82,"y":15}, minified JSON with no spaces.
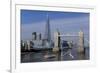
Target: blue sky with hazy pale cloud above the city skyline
{"x":66,"y":22}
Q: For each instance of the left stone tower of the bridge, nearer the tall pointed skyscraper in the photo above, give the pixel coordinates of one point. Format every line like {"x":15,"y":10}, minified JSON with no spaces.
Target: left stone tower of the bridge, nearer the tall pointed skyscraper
{"x":56,"y":41}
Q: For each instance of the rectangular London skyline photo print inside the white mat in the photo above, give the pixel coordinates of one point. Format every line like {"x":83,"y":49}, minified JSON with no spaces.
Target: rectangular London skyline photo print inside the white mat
{"x":54,"y":36}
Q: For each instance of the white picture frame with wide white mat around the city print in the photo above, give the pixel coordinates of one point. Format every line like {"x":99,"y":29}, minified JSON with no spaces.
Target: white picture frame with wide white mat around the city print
{"x":16,"y":66}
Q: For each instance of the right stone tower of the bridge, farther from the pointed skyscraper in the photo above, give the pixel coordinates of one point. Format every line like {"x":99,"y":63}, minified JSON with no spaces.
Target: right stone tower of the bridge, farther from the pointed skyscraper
{"x":81,"y":42}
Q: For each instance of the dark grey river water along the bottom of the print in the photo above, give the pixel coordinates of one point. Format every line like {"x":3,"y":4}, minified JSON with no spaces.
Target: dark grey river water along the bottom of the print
{"x":45,"y":56}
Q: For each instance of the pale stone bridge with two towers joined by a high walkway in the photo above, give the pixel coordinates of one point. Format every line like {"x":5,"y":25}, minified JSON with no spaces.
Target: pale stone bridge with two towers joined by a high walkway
{"x":57,"y":40}
